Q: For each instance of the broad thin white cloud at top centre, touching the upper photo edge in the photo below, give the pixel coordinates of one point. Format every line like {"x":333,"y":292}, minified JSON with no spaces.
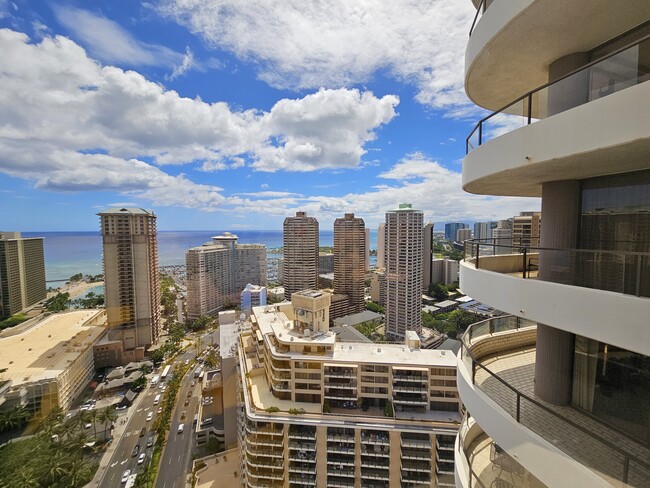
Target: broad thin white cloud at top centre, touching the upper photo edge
{"x":306,"y":44}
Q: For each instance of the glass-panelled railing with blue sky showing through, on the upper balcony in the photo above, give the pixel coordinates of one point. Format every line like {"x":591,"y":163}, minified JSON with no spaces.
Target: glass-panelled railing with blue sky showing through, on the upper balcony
{"x":615,"y":72}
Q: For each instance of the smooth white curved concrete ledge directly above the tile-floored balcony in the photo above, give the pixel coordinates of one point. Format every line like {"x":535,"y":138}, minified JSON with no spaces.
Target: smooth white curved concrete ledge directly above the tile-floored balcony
{"x":556,"y":305}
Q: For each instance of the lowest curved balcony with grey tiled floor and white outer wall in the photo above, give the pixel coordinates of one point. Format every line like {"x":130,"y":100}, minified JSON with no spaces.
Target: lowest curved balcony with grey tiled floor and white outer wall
{"x":496,"y":382}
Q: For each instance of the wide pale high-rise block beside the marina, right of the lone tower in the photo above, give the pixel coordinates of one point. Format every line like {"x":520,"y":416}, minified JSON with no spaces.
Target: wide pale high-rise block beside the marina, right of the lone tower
{"x":219,"y":270}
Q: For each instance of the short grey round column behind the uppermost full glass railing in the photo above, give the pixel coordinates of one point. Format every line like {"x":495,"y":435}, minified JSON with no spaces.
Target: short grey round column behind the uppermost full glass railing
{"x":571,"y":91}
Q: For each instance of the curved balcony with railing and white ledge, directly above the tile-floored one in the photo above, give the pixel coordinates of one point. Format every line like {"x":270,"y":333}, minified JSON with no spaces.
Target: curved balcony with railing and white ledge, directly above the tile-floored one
{"x":598,"y":283}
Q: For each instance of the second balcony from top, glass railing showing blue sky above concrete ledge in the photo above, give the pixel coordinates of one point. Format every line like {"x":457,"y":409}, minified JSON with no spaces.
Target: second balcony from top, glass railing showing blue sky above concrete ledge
{"x":605,"y":119}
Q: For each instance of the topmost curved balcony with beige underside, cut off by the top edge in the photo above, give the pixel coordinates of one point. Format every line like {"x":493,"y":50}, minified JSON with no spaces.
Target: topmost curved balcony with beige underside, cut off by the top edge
{"x":513,"y":42}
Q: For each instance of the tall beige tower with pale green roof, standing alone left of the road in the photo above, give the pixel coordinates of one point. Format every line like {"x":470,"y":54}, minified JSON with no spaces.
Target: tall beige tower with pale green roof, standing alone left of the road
{"x":131,"y":276}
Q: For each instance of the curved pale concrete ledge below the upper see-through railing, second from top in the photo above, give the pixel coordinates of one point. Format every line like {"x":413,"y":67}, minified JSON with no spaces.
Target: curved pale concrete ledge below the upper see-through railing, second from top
{"x":585,"y":141}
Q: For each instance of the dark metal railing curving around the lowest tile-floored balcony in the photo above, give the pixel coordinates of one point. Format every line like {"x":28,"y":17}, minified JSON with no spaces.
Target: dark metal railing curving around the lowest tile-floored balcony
{"x":535,"y":416}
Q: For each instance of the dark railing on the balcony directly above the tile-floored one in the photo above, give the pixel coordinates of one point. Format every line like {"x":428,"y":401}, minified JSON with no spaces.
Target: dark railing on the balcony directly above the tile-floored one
{"x":619,"y":271}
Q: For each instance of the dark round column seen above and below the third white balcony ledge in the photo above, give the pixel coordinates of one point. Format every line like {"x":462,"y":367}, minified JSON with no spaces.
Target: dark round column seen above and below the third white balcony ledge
{"x":555,"y":347}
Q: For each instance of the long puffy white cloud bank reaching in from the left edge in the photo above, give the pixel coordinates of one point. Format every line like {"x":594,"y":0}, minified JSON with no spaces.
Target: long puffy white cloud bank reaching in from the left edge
{"x":69,"y":124}
